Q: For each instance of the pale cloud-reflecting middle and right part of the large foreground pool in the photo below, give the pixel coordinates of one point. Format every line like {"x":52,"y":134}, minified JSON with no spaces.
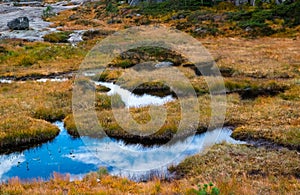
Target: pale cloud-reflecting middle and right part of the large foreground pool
{"x":135,"y":159}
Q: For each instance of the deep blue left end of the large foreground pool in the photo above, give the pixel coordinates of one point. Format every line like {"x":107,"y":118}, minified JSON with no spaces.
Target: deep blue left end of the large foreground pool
{"x":42,"y":161}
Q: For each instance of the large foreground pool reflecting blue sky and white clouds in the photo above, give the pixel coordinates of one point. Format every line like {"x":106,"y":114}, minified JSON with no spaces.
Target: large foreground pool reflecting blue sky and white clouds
{"x":68,"y":155}
